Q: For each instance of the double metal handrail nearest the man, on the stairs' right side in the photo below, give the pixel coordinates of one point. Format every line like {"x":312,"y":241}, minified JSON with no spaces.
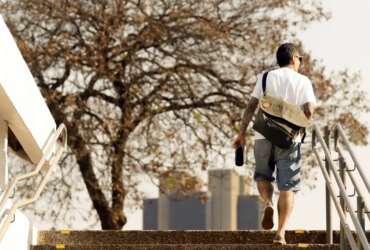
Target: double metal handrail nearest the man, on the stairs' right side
{"x":359,"y":230}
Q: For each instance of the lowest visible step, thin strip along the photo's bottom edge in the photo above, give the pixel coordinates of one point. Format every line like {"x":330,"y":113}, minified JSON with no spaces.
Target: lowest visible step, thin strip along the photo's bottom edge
{"x":187,"y":247}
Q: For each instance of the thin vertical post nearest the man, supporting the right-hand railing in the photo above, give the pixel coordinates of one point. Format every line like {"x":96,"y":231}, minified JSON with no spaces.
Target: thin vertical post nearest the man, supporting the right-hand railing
{"x":329,"y":228}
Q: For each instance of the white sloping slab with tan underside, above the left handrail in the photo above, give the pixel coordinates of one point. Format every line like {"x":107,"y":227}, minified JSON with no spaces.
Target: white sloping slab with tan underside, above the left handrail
{"x":21,"y":103}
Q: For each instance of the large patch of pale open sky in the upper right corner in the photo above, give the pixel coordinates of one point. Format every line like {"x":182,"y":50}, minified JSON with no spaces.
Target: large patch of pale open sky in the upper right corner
{"x":344,"y":40}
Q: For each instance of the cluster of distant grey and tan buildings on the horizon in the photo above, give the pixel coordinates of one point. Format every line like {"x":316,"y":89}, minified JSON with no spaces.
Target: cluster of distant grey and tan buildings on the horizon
{"x":226,"y":206}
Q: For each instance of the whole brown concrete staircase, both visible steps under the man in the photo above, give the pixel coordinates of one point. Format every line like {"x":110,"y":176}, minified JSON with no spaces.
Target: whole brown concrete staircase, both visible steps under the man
{"x":106,"y":240}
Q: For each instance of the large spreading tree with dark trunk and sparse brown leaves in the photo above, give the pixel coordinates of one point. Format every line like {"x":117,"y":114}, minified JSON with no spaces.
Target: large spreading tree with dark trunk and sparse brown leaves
{"x":148,"y":86}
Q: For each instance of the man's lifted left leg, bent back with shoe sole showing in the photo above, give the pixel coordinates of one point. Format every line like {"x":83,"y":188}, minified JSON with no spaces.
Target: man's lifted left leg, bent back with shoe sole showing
{"x":266,"y":190}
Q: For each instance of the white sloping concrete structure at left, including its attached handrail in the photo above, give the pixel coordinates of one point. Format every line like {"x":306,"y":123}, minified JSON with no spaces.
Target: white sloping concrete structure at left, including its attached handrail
{"x":24,"y":111}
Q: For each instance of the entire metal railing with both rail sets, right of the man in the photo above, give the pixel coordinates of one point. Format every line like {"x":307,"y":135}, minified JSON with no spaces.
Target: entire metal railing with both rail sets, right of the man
{"x":345,"y":204}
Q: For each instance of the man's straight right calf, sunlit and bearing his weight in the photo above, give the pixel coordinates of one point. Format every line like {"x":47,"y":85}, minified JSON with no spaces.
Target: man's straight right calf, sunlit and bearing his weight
{"x":285,"y":208}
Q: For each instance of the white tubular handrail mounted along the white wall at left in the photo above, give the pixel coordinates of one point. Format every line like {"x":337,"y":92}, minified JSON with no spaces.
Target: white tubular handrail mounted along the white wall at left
{"x":48,"y":160}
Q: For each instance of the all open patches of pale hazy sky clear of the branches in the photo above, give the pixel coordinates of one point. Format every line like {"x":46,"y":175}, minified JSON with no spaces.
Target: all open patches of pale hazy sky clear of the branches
{"x":342,"y":42}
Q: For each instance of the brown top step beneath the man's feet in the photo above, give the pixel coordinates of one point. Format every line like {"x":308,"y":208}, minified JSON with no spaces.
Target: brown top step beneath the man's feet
{"x":178,"y":237}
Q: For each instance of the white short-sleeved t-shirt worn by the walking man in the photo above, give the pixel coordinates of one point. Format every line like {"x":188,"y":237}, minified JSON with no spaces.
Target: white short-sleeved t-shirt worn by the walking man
{"x":287,"y":84}
